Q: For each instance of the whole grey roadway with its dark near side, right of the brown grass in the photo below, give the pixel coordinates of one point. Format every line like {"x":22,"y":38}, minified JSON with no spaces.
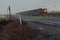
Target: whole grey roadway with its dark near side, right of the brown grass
{"x":44,"y":27}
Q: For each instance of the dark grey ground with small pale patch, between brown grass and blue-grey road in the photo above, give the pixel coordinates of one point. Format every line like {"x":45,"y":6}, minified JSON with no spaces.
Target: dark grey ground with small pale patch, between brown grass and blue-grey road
{"x":42,"y":31}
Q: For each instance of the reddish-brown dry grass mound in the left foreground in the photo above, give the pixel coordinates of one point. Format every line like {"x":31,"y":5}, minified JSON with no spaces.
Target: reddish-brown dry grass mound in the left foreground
{"x":13,"y":31}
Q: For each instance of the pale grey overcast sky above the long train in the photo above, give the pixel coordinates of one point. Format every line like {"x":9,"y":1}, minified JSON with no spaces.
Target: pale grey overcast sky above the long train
{"x":23,"y":5}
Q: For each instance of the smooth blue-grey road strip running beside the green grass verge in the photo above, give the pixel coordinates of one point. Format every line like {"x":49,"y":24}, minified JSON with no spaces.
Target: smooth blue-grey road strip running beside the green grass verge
{"x":52,"y":21}
